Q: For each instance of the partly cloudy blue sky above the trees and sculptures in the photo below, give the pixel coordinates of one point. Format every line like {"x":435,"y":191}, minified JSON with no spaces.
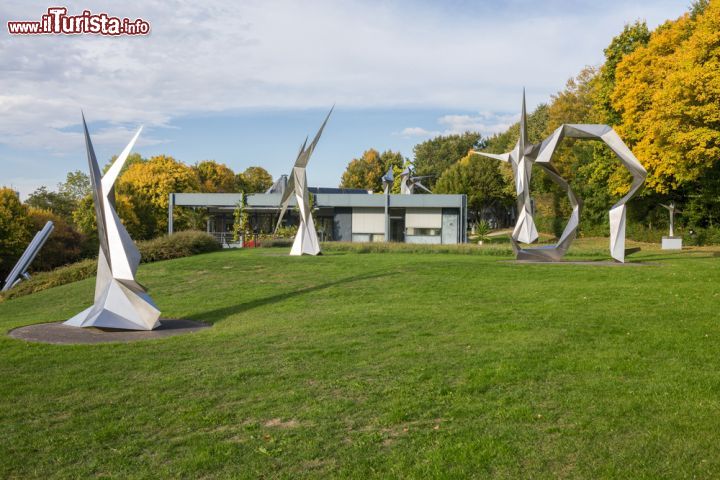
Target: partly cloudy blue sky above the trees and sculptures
{"x":243,"y":83}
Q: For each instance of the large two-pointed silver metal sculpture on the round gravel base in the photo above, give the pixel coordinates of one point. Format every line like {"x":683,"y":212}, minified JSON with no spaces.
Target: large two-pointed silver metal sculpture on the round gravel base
{"x":120,"y":301}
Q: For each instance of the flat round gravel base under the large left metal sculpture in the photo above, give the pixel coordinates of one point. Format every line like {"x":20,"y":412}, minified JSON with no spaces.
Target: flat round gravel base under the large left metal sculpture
{"x":58,"y":333}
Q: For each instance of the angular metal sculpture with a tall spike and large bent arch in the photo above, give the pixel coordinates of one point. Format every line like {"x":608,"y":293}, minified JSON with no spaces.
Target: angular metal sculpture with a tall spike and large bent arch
{"x":526,"y":154}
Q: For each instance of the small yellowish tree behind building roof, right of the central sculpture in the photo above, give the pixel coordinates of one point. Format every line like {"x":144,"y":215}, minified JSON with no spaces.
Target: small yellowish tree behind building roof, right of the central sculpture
{"x":367,"y":171}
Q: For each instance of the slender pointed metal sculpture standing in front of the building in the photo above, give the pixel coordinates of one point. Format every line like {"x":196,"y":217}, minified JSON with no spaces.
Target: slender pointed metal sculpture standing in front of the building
{"x":306,"y":241}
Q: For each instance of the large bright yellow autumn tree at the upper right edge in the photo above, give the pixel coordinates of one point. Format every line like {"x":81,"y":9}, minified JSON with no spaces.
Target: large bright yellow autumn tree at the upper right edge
{"x":668,"y":96}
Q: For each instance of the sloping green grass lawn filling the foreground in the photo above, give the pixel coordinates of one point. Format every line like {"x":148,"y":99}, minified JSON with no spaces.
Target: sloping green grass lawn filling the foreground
{"x":379,"y":365}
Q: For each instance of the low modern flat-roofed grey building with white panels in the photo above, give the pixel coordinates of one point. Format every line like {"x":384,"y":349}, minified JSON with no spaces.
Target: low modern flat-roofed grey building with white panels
{"x":347,"y":215}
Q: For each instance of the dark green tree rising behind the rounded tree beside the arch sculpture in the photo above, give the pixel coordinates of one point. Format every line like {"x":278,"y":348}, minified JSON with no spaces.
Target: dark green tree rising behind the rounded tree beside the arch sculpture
{"x":433,"y":156}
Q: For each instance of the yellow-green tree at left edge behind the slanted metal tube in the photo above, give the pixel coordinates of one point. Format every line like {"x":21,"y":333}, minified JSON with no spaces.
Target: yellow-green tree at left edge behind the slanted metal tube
{"x":15,"y":229}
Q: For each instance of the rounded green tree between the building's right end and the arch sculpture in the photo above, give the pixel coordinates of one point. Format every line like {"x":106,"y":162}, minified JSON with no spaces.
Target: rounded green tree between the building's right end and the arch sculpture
{"x":477,"y":177}
